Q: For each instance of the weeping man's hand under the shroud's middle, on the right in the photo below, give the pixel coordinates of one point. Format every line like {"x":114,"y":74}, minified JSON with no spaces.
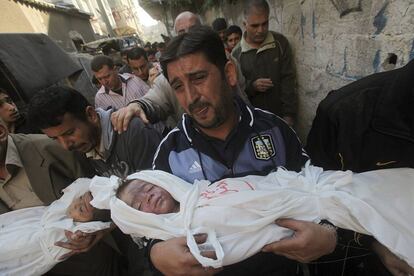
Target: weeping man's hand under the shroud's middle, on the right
{"x":309,"y":242}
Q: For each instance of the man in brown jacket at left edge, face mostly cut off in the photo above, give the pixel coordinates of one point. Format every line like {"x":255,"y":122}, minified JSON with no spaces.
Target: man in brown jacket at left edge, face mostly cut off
{"x":33,"y":171}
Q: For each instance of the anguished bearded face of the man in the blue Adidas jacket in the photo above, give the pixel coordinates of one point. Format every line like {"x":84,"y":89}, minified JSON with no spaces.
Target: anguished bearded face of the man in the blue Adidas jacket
{"x":201,"y":89}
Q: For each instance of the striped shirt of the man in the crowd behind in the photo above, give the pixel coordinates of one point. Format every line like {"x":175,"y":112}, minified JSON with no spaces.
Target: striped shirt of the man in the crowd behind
{"x":132,"y":88}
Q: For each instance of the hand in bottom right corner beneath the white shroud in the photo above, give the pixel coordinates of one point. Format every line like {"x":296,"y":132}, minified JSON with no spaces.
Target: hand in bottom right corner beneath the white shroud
{"x":395,"y":265}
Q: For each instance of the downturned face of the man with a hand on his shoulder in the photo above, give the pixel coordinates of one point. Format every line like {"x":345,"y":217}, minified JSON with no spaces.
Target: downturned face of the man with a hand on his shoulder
{"x":75,"y":135}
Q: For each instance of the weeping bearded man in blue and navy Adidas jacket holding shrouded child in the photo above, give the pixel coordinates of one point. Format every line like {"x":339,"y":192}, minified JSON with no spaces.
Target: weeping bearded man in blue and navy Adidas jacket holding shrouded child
{"x":220,"y":136}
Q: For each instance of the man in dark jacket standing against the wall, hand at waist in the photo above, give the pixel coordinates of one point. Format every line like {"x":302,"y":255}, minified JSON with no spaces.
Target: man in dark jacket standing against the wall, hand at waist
{"x":266,"y":61}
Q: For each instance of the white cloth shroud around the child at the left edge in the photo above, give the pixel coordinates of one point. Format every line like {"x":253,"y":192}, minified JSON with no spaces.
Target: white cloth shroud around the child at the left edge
{"x":27,"y":236}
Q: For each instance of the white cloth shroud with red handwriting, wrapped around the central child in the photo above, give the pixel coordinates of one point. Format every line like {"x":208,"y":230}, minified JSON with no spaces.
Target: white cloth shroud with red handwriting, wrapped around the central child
{"x":239,"y":213}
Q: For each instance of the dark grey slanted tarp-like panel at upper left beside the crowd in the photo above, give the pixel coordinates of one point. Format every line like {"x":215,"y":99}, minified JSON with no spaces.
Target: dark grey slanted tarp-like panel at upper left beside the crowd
{"x":34,"y":62}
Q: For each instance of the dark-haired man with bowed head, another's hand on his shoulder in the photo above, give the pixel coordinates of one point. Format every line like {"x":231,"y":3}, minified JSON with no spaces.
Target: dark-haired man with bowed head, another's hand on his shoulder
{"x":64,"y":115}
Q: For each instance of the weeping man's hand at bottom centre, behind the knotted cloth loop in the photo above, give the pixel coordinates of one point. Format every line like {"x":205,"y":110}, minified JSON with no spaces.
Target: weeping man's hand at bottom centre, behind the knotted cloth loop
{"x":172,"y":257}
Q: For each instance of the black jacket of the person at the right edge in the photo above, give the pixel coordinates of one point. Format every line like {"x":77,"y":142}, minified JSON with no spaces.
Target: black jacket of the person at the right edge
{"x":366,"y":125}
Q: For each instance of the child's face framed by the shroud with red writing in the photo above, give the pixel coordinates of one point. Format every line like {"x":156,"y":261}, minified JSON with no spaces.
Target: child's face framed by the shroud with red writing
{"x":148,"y":198}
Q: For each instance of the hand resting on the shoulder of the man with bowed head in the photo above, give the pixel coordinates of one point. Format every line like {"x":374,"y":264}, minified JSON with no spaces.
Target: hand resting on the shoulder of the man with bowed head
{"x":120,"y":119}
